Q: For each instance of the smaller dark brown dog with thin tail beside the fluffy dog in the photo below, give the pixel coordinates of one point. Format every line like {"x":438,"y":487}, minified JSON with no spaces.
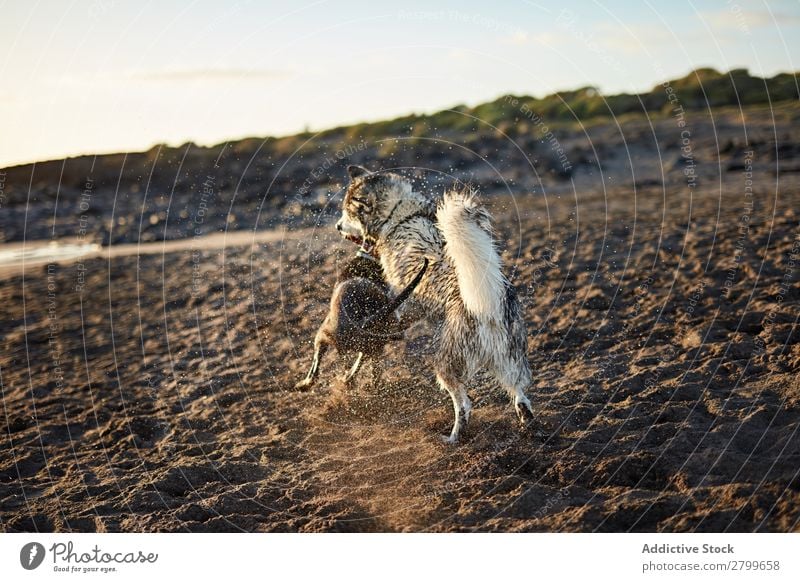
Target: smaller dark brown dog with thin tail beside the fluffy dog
{"x":362,"y":317}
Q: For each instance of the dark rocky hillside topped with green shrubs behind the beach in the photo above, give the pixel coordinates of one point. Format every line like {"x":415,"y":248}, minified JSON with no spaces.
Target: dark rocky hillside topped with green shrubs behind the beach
{"x":259,"y":182}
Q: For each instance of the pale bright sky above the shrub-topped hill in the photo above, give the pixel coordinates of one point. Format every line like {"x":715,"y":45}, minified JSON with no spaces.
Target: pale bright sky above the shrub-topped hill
{"x":101,"y":76}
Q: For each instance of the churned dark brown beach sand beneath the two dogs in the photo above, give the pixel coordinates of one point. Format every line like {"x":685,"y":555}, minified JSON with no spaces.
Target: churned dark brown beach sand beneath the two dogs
{"x":158,"y":397}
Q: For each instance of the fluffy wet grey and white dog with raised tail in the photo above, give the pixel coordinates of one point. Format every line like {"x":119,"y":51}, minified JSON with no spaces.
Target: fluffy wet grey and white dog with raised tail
{"x":464,"y":293}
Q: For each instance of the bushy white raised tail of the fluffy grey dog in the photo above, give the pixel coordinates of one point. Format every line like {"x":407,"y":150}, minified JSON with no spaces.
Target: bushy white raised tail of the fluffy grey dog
{"x":467,"y":230}
